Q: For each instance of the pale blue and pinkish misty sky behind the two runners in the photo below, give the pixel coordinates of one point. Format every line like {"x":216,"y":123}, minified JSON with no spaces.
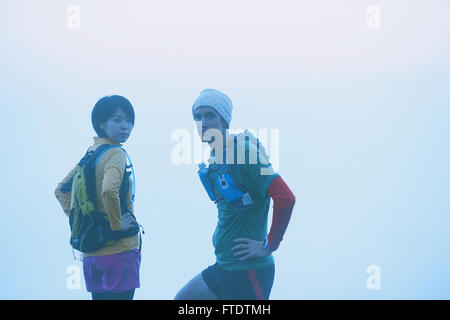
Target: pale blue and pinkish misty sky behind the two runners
{"x":363,"y":118}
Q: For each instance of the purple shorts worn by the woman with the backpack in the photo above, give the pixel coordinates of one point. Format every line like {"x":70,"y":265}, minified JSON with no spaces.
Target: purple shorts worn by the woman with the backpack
{"x":112,"y":273}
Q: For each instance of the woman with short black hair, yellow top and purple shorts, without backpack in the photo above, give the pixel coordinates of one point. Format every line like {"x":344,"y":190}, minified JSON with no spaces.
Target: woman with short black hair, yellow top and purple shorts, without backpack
{"x":113,"y":271}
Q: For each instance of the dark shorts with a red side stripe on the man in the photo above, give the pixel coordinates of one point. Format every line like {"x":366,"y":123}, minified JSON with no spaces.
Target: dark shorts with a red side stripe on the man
{"x":239,"y":285}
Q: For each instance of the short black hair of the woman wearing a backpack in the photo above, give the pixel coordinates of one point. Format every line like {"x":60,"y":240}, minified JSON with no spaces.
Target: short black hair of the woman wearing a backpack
{"x":106,"y":107}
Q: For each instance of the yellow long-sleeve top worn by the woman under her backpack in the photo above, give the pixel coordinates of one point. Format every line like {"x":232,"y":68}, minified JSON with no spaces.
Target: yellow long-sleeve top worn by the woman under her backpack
{"x":109,"y":173}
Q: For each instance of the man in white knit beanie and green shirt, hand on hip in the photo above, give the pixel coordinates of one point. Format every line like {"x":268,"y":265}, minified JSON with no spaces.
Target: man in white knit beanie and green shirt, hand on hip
{"x":244,"y":267}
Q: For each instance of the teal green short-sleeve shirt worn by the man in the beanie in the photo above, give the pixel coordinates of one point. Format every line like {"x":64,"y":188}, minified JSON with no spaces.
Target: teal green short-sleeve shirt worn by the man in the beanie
{"x":252,"y":223}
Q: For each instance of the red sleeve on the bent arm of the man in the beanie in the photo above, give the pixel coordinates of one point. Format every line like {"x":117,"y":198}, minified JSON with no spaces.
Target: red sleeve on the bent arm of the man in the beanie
{"x":283,"y":204}
